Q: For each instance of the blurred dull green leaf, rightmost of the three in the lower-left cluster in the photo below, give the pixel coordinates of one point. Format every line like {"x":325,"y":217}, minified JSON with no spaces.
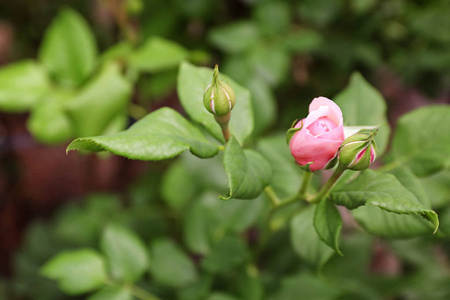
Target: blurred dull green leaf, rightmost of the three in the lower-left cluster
{"x":170,"y":265}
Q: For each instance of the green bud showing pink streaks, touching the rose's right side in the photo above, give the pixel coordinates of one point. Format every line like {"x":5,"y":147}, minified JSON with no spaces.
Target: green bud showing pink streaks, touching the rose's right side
{"x":358,"y":151}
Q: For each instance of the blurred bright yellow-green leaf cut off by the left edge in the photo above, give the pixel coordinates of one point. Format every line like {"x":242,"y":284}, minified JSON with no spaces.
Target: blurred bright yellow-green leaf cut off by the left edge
{"x":21,"y":85}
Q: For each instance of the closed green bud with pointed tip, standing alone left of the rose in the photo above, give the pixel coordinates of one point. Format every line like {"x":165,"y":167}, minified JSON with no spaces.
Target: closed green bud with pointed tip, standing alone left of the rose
{"x":219,"y":98}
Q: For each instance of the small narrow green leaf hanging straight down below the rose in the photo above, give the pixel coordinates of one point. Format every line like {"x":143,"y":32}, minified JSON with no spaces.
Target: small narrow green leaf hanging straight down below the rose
{"x":328,"y":223}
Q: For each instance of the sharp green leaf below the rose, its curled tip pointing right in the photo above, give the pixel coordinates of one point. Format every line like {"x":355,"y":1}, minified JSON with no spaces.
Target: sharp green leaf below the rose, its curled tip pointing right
{"x":383,"y":191}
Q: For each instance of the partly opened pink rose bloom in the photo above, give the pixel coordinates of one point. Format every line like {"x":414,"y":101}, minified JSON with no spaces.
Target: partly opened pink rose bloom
{"x":321,"y":135}
